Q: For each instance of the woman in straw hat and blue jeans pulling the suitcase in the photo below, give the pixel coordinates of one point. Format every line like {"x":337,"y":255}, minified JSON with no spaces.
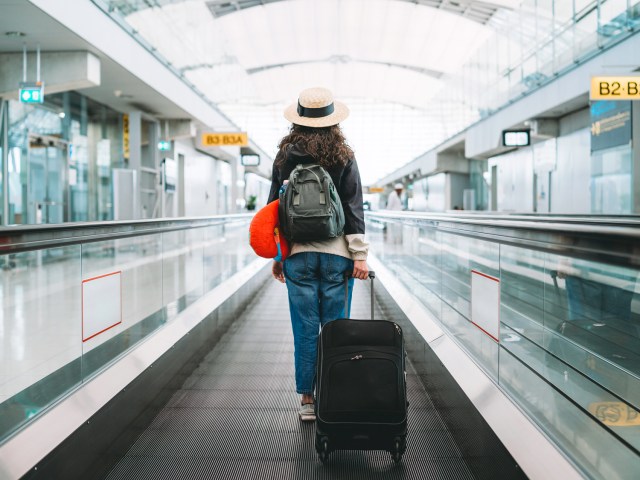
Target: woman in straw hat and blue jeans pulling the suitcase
{"x":314,"y":271}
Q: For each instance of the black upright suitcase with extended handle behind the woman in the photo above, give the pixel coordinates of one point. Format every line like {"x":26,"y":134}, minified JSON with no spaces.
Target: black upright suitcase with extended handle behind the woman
{"x":361,"y":390}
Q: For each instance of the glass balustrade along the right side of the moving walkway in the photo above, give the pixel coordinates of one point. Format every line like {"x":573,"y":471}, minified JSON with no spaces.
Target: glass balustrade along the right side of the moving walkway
{"x":567,"y":341}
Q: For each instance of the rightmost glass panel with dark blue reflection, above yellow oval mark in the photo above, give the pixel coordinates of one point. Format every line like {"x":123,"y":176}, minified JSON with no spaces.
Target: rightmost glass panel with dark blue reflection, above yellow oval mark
{"x":597,"y":330}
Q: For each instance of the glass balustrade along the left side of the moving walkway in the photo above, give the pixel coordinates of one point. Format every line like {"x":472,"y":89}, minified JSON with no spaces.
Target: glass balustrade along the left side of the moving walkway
{"x":70,"y":311}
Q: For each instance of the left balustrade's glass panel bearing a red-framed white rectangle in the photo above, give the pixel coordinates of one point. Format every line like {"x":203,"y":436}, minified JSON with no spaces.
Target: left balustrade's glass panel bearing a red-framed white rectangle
{"x":122,"y":297}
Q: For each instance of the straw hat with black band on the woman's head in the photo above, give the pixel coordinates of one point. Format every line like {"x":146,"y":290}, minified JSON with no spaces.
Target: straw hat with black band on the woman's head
{"x":316,"y":108}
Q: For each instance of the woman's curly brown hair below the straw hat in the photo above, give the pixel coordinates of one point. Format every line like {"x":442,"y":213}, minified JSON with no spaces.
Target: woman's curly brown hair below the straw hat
{"x":326,"y":145}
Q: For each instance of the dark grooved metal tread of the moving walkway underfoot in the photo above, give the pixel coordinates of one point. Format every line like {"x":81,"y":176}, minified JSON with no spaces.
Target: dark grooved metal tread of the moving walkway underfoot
{"x":236,"y":416}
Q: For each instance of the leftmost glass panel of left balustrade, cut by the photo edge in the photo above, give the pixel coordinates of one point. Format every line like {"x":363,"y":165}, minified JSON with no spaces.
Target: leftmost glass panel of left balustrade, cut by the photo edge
{"x":39,"y":331}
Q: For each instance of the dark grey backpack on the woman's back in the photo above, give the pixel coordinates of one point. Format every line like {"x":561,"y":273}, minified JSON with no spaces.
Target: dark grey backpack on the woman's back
{"x":310,"y":207}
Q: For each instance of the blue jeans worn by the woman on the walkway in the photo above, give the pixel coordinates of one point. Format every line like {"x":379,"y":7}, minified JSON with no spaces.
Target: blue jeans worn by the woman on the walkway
{"x":315,"y":282}
